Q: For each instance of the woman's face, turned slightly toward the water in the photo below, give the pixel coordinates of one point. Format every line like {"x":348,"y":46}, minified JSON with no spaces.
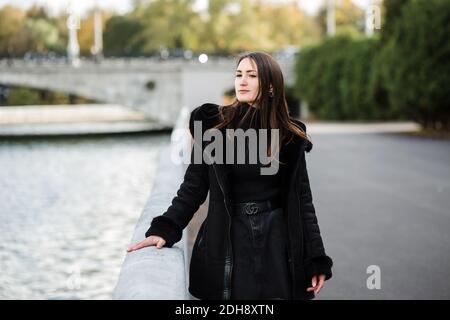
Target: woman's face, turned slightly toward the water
{"x":246,"y":81}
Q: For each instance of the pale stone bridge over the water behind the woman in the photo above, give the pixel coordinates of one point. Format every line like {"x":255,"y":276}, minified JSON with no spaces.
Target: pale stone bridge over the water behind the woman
{"x":158,"y":88}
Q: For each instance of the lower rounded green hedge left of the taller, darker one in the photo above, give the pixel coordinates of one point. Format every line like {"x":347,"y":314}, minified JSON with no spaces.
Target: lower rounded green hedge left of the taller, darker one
{"x":334,"y":76}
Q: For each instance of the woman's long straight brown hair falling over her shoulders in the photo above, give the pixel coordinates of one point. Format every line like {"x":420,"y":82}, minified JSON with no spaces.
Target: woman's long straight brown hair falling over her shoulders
{"x":273,"y":109}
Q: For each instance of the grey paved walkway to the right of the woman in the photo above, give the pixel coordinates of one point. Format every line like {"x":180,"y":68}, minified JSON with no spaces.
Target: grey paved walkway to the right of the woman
{"x":382,"y":200}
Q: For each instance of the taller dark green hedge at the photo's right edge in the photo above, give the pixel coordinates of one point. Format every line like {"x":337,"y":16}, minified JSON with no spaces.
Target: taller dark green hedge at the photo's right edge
{"x":417,"y":63}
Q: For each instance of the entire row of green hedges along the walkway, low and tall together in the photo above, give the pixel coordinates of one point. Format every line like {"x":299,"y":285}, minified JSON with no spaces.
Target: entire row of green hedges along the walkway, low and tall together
{"x":406,"y":75}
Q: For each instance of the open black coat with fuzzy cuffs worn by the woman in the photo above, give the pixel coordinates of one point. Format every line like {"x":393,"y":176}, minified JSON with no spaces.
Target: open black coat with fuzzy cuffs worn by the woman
{"x":211,"y":261}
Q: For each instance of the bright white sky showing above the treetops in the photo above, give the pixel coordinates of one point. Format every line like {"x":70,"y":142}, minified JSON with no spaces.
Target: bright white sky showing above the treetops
{"x":122,"y":6}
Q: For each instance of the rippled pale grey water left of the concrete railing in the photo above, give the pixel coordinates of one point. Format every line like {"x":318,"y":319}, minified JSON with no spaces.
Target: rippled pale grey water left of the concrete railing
{"x":68,"y":208}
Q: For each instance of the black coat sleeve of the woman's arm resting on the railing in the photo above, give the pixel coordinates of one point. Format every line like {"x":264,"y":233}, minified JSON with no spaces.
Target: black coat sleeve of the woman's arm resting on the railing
{"x":190,"y":195}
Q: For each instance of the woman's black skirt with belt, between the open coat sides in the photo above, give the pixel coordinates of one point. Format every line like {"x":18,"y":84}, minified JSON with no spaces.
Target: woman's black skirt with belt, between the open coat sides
{"x":260,"y":256}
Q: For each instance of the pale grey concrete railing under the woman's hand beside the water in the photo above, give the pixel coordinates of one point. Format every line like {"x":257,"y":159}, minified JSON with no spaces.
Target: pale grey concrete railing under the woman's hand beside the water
{"x":152,"y":273}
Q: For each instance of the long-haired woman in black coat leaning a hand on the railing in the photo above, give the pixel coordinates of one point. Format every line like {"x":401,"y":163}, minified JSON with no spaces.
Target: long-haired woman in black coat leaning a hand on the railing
{"x":260,"y":239}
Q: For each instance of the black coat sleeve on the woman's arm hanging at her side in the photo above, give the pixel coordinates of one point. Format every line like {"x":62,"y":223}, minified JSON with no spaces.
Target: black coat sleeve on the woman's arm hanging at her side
{"x":316,"y":261}
